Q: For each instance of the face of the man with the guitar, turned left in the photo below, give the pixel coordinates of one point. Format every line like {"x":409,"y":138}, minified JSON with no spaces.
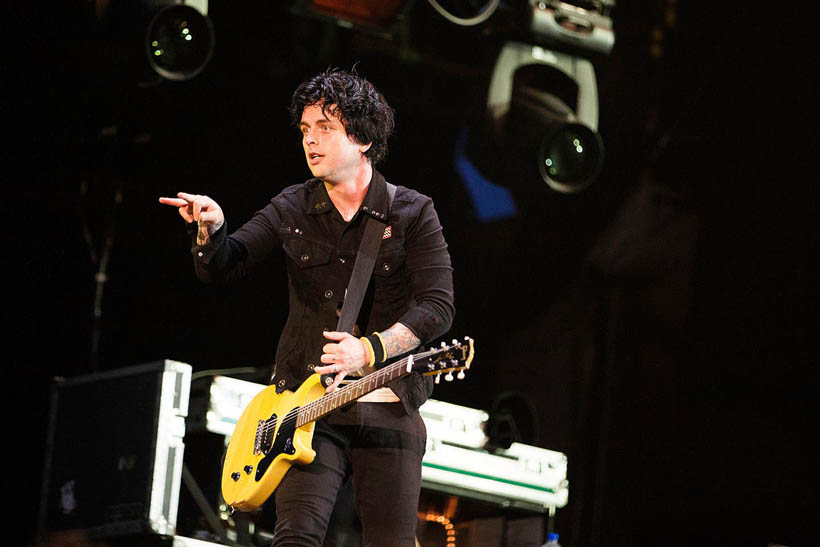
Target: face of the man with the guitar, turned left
{"x":332,"y":155}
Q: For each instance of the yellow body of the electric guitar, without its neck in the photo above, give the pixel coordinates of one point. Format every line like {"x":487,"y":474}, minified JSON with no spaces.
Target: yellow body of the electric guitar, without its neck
{"x":266,"y":442}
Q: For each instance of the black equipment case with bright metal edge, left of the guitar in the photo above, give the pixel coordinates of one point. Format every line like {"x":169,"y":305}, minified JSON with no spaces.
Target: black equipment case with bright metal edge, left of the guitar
{"x":113,"y":462}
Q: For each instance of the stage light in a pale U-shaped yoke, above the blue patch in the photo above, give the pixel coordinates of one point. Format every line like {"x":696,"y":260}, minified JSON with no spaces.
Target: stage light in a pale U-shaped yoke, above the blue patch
{"x":541,"y":120}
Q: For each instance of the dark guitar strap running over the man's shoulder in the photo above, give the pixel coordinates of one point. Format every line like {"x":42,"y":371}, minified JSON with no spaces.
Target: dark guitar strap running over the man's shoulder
{"x":362,"y":270}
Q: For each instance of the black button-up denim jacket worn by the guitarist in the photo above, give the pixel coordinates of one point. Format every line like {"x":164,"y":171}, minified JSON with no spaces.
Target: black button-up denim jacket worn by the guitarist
{"x":412,"y":281}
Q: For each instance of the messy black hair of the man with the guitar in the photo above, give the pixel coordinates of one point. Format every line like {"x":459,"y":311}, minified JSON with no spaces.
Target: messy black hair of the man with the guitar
{"x":360,"y":107}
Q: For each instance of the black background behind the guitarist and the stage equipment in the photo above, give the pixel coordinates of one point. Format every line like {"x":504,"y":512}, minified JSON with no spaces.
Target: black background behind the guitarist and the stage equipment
{"x":662,"y":323}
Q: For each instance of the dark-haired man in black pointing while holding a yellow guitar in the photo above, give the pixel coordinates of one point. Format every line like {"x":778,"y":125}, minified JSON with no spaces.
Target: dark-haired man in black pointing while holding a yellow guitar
{"x":378,"y":442}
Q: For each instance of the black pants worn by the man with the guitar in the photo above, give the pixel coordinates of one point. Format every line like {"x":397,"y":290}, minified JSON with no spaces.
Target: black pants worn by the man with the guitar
{"x":379,"y":448}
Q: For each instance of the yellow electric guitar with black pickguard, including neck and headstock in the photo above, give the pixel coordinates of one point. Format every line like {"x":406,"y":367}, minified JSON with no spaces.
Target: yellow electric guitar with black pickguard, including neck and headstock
{"x":276,"y":429}
